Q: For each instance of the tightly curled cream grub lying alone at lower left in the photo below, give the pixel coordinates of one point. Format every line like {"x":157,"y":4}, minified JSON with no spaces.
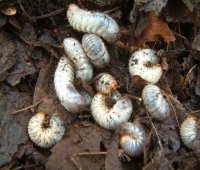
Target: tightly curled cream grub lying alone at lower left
{"x":45,"y":132}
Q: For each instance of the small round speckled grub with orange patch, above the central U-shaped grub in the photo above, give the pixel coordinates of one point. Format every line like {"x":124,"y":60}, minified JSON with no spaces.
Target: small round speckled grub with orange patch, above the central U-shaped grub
{"x":106,"y":84}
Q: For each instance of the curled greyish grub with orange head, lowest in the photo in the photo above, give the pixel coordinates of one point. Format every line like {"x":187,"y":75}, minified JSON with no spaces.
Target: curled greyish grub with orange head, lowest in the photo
{"x":132,"y":138}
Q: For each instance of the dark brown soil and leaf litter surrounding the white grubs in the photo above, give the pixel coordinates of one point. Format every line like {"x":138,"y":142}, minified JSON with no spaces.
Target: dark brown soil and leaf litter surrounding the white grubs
{"x":31,"y":45}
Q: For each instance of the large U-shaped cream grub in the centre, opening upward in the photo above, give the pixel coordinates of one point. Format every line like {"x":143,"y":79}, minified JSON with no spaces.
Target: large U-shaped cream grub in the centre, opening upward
{"x":107,"y":117}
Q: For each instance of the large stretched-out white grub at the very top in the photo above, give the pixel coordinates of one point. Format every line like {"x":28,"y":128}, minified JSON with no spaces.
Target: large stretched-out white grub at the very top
{"x":93,"y":22}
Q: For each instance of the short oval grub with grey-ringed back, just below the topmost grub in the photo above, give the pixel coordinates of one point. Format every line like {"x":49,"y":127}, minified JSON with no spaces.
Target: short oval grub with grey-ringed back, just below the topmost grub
{"x":95,"y":50}
